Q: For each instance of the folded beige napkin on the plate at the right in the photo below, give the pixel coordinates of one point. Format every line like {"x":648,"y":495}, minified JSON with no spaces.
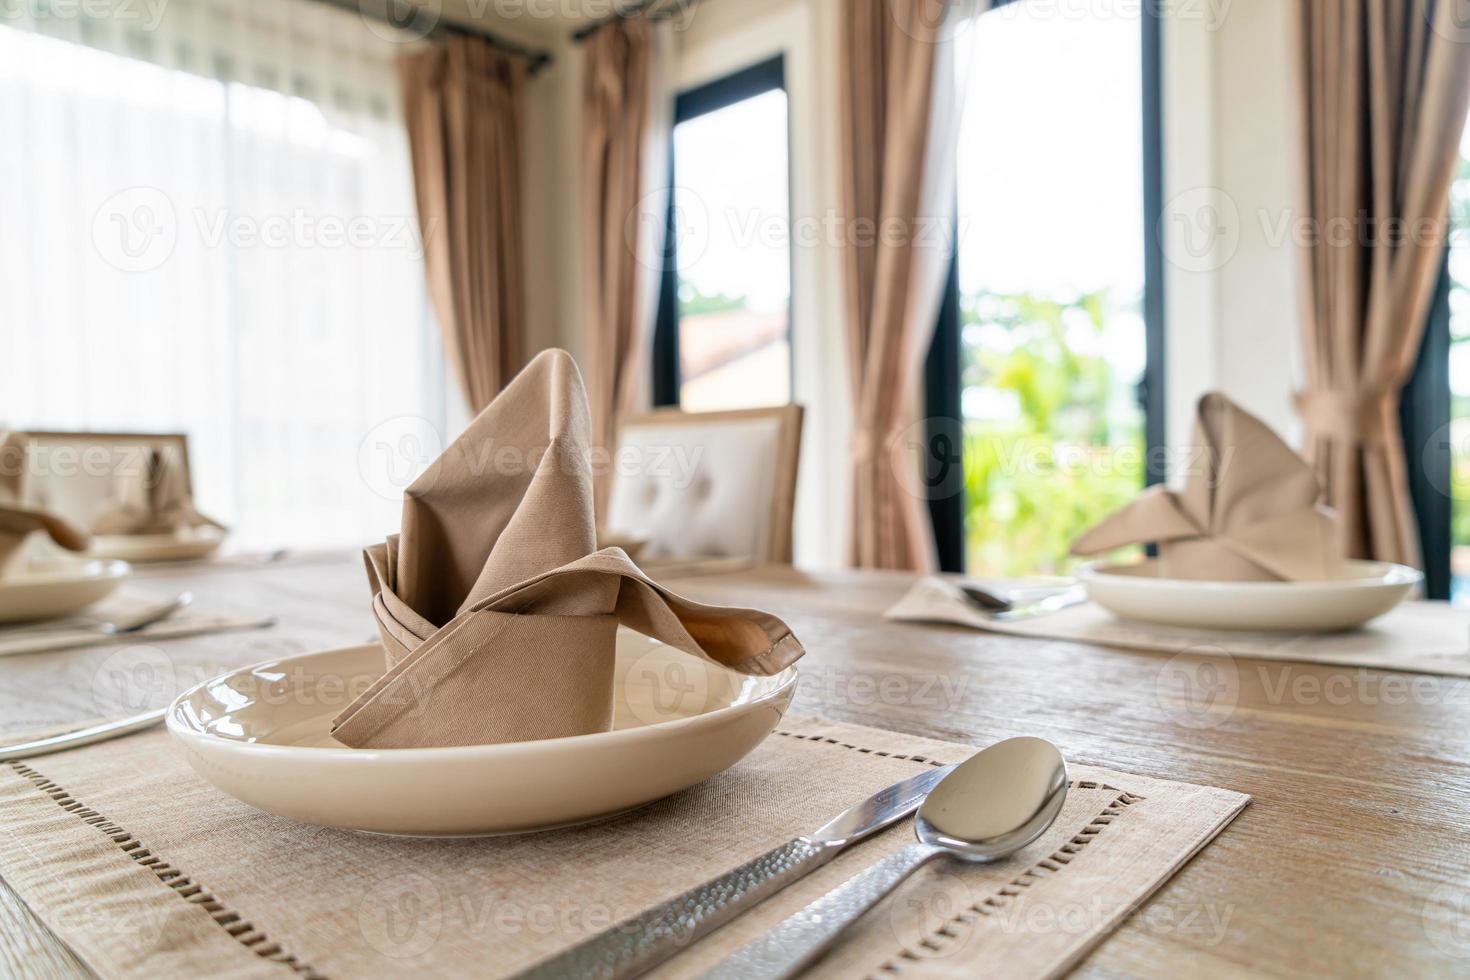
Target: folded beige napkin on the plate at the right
{"x":1249,"y":511}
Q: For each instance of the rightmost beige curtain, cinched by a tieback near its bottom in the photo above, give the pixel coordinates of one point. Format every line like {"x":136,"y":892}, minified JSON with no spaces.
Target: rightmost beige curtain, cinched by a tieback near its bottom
{"x":1384,"y":90}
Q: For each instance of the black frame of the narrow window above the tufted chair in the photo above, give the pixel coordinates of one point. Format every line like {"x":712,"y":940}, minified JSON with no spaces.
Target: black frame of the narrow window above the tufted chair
{"x":758,"y":80}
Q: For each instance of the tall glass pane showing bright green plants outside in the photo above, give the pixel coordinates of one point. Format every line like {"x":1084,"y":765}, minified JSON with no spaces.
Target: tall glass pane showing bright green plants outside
{"x":1052,"y":283}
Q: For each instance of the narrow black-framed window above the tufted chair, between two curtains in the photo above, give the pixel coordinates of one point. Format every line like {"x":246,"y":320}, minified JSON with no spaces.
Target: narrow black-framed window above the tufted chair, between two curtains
{"x":724,"y":337}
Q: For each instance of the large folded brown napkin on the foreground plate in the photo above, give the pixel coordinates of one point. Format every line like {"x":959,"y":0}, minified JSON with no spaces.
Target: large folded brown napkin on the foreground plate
{"x":498,"y":613}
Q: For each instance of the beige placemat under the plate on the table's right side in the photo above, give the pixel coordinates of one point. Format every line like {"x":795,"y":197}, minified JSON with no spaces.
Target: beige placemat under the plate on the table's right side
{"x":1431,"y":638}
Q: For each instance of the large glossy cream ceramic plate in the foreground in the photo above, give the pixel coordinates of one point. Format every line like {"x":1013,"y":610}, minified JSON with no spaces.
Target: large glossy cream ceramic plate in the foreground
{"x":261,"y":735}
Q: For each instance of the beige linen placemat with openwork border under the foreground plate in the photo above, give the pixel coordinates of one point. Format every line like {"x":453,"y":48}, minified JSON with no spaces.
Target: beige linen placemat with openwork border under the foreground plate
{"x":149,"y":872}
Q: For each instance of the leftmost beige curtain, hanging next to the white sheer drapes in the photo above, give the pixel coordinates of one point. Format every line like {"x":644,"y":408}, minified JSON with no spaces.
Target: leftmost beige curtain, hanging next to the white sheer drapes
{"x":462,"y":104}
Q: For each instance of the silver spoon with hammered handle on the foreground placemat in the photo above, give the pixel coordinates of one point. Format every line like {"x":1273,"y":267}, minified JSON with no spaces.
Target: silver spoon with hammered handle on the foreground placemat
{"x":993,"y":806}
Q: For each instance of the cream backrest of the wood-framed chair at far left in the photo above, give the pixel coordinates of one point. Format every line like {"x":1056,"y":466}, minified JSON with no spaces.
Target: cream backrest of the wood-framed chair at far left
{"x":74,"y":474}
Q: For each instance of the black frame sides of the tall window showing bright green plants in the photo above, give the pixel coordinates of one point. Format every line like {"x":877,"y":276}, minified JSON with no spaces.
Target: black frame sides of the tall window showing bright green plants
{"x":946,"y":364}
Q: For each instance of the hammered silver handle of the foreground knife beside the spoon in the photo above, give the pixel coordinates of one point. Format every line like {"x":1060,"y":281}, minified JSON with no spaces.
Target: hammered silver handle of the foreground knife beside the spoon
{"x":643,"y":943}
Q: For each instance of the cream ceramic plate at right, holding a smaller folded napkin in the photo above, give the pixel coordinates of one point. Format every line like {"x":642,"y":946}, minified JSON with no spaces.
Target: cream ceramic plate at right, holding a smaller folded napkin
{"x":1366,"y":591}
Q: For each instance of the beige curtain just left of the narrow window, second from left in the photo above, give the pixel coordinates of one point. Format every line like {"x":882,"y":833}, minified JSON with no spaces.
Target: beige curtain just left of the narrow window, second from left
{"x":625,"y":131}
